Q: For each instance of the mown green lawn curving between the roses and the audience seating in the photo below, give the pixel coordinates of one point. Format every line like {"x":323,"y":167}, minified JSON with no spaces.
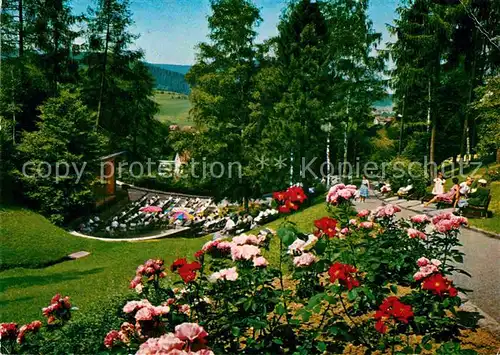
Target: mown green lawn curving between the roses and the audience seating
{"x":27,"y":237}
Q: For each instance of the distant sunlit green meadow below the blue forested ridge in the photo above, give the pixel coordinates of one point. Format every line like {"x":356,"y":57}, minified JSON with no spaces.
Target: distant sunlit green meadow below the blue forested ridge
{"x":174,"y":108}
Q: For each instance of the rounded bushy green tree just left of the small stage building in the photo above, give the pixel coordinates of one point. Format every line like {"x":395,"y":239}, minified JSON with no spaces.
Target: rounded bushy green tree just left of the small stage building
{"x":65,"y":136}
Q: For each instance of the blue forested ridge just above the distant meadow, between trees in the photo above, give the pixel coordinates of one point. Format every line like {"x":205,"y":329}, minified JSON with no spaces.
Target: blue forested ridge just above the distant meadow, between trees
{"x":170,"y":77}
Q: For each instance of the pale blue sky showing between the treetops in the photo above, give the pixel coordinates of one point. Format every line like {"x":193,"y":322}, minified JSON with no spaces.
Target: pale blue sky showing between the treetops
{"x":170,"y":29}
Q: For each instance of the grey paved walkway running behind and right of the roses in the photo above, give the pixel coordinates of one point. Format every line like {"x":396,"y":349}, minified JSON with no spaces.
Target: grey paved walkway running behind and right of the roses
{"x":481,"y":260}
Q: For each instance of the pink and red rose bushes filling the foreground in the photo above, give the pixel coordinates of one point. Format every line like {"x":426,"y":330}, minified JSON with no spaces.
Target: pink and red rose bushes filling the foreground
{"x":363,"y":282}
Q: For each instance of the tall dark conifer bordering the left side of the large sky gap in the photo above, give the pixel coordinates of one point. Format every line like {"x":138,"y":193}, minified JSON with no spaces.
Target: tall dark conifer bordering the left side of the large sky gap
{"x":117,"y":84}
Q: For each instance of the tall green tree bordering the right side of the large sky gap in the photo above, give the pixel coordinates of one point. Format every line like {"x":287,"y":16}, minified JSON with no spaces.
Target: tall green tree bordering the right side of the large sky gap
{"x":221,"y":83}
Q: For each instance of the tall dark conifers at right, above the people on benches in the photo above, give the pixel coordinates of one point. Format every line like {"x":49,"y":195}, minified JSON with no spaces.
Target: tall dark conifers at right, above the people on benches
{"x":441,"y":58}
